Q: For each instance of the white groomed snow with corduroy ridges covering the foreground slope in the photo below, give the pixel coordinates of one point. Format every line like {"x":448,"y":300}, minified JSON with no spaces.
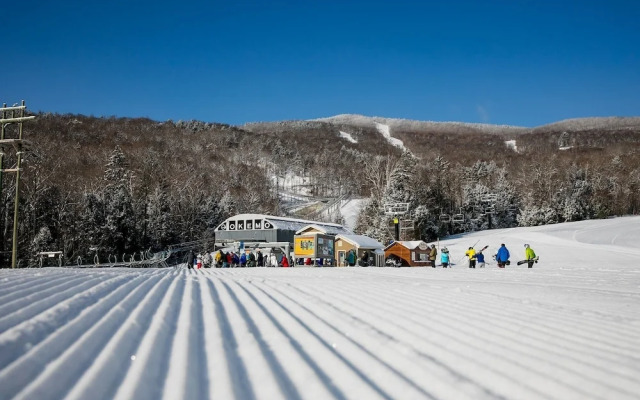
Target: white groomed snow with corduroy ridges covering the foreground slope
{"x":566,"y":329}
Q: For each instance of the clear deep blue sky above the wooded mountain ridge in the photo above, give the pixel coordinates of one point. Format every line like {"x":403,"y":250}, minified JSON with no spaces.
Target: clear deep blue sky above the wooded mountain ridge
{"x":512,"y":62}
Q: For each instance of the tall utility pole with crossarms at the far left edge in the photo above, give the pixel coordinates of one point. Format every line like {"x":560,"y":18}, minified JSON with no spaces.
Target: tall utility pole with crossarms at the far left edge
{"x":13,"y":115}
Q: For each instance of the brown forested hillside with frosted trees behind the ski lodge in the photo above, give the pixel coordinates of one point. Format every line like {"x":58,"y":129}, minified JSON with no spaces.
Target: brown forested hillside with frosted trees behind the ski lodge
{"x":122,"y":185}
